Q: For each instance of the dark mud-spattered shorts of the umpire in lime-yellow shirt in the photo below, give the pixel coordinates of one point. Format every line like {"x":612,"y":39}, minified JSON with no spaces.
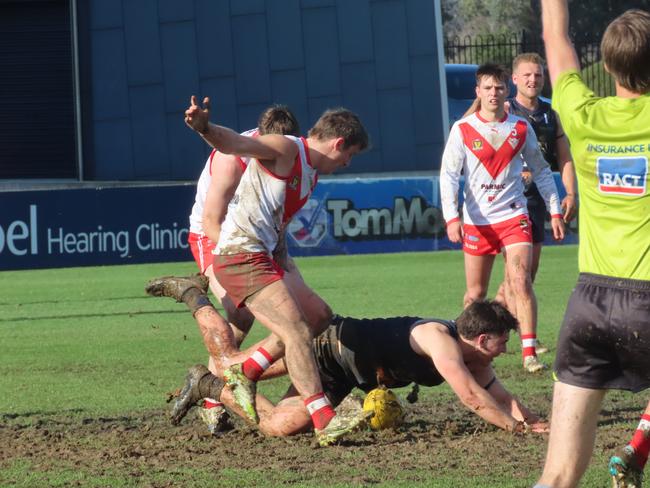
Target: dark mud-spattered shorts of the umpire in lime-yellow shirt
{"x":605,"y":337}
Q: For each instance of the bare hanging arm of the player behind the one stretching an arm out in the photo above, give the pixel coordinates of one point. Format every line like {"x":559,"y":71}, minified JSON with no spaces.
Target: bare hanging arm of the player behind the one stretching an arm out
{"x":226,"y":173}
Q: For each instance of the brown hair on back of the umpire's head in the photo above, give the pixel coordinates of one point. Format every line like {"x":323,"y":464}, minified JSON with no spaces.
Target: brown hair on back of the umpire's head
{"x":626,"y":50}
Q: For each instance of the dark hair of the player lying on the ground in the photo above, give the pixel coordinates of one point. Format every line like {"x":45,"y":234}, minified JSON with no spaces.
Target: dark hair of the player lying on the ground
{"x":485,"y":317}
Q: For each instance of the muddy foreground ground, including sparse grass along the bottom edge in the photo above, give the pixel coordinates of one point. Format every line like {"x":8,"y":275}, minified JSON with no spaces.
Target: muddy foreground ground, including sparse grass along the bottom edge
{"x":440,"y":445}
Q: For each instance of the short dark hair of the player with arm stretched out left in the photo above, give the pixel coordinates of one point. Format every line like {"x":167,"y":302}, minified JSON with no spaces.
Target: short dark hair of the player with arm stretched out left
{"x":341,"y":122}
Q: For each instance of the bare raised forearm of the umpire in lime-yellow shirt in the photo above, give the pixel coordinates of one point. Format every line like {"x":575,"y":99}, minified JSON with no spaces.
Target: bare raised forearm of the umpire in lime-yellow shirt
{"x":560,"y":53}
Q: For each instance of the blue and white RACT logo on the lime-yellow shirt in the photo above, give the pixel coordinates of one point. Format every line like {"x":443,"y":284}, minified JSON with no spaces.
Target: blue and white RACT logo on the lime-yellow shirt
{"x":622,"y":176}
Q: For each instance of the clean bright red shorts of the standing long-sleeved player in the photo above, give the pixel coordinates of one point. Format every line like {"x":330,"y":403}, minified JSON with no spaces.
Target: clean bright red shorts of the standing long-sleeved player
{"x":482,"y":240}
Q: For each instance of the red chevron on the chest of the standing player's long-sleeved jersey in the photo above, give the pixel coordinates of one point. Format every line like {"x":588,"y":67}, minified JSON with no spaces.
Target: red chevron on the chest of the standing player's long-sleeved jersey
{"x":494,"y":160}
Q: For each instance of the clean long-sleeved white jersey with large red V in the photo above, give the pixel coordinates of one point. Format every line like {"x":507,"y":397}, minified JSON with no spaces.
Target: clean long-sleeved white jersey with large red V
{"x":491,"y":155}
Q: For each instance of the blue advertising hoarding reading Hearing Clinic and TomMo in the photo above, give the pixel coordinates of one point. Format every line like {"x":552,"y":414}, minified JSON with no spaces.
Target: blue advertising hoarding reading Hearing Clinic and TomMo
{"x":59,"y":228}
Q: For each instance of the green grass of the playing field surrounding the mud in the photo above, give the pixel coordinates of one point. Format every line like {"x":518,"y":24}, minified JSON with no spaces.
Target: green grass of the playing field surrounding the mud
{"x":87,"y":342}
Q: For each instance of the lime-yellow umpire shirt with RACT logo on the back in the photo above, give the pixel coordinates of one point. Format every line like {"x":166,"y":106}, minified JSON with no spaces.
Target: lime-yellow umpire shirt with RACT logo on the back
{"x":610,"y":144}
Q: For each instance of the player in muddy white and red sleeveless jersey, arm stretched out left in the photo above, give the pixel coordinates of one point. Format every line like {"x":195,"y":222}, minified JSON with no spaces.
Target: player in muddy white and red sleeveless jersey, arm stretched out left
{"x":277,"y":183}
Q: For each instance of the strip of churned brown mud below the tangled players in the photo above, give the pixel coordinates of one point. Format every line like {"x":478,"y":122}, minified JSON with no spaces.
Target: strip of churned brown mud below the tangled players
{"x":434,"y":439}
